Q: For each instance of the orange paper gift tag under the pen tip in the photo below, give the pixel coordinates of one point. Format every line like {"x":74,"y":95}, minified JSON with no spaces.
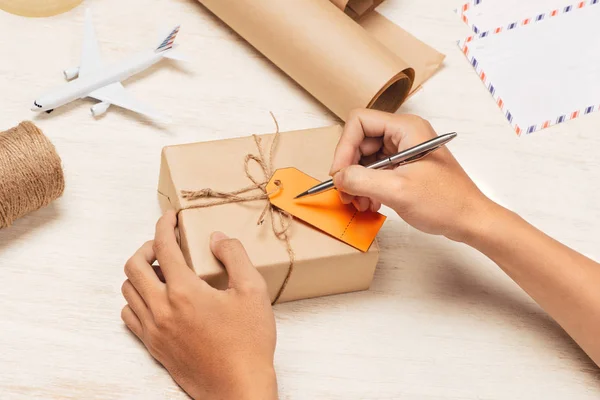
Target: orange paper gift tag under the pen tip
{"x":324,"y":211}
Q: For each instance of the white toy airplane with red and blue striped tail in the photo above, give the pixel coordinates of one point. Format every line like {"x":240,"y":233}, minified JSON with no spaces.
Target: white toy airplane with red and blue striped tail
{"x":104,"y":82}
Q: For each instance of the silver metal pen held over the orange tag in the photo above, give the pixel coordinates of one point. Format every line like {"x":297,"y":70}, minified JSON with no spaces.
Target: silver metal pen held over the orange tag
{"x":404,"y":157}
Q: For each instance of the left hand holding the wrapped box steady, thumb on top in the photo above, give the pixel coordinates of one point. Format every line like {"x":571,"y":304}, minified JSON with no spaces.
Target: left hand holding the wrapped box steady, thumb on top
{"x":215,"y":344}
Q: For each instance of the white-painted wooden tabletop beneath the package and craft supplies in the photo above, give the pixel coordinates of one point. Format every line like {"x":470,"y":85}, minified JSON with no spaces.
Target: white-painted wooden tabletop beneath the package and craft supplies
{"x":440,"y":321}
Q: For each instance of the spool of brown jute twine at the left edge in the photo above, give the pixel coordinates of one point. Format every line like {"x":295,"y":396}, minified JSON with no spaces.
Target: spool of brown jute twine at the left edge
{"x":31,"y":174}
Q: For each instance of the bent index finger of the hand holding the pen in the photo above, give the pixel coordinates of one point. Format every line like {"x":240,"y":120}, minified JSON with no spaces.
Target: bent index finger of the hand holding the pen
{"x":361,"y":124}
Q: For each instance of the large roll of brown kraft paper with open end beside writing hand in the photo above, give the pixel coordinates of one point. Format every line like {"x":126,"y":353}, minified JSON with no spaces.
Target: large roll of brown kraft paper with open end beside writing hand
{"x":323,"y":50}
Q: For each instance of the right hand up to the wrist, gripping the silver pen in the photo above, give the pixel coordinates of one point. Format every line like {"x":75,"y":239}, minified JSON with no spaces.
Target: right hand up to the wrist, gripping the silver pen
{"x":434,"y":195}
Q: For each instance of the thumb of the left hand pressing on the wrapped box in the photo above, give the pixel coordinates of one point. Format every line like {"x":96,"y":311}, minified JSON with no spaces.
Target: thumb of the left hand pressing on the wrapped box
{"x":232,"y":254}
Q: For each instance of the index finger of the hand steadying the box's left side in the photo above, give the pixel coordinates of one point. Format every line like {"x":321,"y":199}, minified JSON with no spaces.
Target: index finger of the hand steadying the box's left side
{"x":169,"y":255}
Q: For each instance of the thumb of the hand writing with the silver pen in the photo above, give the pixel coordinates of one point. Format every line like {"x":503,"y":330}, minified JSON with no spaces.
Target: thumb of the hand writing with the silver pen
{"x":379,"y":185}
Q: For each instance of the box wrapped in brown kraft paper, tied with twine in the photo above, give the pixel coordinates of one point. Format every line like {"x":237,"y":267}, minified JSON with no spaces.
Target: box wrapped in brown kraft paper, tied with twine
{"x":323,"y":265}
